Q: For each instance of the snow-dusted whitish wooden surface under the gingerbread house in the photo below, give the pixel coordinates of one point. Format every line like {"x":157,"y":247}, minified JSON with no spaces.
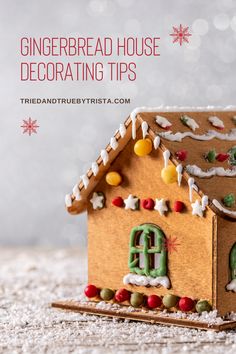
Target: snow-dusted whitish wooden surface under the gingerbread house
{"x":31,"y":279}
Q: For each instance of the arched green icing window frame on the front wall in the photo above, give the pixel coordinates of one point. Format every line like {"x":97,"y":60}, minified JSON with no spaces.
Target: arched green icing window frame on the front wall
{"x":145,"y":231}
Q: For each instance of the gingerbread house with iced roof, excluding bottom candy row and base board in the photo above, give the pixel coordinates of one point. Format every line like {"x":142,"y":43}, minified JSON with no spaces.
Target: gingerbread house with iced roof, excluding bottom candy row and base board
{"x":161,"y":209}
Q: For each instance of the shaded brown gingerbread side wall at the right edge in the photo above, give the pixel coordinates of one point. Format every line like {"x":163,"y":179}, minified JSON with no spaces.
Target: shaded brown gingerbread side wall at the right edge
{"x":225,"y":239}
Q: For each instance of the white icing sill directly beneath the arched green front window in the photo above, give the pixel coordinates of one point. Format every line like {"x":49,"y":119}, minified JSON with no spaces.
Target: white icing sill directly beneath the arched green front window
{"x":143,"y":280}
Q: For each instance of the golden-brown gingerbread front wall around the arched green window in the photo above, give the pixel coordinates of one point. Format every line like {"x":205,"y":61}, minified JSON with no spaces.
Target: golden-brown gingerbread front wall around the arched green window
{"x":190,"y":267}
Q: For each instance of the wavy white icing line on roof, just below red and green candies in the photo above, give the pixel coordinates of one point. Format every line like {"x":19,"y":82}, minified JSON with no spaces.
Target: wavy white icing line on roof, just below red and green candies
{"x":214,"y":171}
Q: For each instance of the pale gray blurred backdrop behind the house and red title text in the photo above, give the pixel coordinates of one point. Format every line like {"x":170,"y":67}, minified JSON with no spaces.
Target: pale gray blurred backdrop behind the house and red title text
{"x":36,"y":172}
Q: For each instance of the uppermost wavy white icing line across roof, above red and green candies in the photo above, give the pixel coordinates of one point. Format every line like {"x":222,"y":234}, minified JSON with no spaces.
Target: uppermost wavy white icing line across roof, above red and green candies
{"x":210,"y":134}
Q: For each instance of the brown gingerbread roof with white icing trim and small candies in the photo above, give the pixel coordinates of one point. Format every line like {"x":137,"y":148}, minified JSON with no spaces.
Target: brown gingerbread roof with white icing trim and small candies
{"x":208,"y":135}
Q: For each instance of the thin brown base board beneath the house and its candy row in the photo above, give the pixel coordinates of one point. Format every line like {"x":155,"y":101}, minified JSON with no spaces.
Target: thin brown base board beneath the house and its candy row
{"x":140,"y":316}
